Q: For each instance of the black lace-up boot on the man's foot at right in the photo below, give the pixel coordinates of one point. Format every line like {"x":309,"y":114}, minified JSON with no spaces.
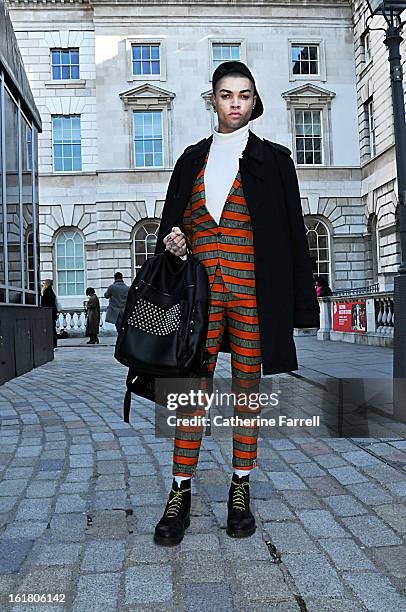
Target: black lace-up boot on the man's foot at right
{"x":240,"y":520}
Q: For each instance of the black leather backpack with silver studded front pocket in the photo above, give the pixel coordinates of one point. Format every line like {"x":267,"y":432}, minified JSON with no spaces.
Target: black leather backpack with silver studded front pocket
{"x":164,"y":324}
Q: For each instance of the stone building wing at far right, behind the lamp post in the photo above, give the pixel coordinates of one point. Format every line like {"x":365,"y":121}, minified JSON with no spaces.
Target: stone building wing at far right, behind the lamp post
{"x":377,"y":150}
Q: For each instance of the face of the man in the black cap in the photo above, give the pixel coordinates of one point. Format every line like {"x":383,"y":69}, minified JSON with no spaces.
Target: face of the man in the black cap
{"x":234,"y":99}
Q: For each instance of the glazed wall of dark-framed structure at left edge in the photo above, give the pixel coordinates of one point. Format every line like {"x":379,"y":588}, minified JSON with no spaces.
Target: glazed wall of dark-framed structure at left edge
{"x":19,"y":243}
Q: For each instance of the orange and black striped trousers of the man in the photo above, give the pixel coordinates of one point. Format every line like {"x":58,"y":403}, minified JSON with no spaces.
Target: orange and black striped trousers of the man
{"x":240,"y":314}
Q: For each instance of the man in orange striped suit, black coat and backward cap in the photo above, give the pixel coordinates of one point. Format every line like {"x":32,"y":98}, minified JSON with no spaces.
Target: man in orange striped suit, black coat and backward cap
{"x":235,"y":198}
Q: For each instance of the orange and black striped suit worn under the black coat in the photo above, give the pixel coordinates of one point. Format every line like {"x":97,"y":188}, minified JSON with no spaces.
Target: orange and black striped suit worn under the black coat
{"x":226,"y":250}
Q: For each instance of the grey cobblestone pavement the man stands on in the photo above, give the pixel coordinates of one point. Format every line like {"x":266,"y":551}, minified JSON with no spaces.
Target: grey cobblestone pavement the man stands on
{"x":81,"y":492}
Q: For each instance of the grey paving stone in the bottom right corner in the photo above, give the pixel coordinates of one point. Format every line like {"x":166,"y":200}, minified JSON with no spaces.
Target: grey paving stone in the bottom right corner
{"x":376,"y":592}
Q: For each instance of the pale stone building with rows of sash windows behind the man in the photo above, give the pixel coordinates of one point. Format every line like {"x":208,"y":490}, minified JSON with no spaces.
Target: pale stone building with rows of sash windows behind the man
{"x":124,"y":87}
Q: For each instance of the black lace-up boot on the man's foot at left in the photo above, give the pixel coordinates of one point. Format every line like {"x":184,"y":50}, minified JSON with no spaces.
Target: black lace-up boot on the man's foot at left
{"x":176,"y":517}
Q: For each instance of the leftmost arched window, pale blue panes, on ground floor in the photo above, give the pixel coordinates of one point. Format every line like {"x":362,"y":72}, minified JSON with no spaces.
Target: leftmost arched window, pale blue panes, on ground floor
{"x":70,"y":263}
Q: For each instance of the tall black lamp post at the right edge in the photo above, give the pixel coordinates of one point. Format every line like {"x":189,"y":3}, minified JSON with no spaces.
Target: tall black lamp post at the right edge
{"x":391,"y":11}
